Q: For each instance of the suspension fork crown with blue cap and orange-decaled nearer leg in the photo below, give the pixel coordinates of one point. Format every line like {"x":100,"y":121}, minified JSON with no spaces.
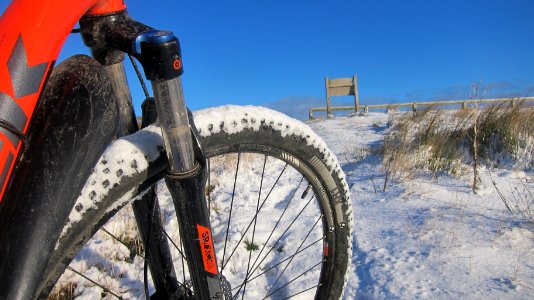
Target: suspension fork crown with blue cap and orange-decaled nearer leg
{"x":159,"y":53}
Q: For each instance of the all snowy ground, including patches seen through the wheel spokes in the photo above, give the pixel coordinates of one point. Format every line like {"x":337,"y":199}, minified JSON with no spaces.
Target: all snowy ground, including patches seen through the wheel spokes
{"x":423,"y":238}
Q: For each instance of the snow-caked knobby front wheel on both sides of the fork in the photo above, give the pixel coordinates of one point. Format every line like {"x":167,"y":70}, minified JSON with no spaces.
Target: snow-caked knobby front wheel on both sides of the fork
{"x":131,"y":164}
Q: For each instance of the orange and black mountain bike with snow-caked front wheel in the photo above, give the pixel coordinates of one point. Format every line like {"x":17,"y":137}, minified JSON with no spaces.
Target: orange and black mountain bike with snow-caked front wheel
{"x":72,"y":156}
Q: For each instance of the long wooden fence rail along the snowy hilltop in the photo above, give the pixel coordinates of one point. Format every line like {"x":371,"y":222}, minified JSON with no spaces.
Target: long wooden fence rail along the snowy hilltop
{"x":414,"y":105}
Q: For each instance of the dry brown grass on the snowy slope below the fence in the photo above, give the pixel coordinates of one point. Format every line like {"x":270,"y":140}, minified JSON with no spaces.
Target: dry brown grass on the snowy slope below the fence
{"x":442,"y":141}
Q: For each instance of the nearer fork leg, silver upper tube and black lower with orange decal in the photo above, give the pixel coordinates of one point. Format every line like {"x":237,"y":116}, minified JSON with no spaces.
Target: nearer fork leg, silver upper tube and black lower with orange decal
{"x":186,"y":180}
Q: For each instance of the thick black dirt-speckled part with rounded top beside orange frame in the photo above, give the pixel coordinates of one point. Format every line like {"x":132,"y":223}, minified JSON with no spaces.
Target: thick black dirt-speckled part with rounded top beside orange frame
{"x":76,"y":119}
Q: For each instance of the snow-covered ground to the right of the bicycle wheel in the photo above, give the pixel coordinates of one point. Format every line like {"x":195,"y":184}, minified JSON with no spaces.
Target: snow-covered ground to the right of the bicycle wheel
{"x":430,"y":238}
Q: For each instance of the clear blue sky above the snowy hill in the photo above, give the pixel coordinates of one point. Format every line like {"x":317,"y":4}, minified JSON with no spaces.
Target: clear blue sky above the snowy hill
{"x":277,"y":52}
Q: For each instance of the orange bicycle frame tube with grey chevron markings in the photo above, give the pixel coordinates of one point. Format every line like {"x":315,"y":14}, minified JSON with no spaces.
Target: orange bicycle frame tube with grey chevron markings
{"x":31,"y":36}
